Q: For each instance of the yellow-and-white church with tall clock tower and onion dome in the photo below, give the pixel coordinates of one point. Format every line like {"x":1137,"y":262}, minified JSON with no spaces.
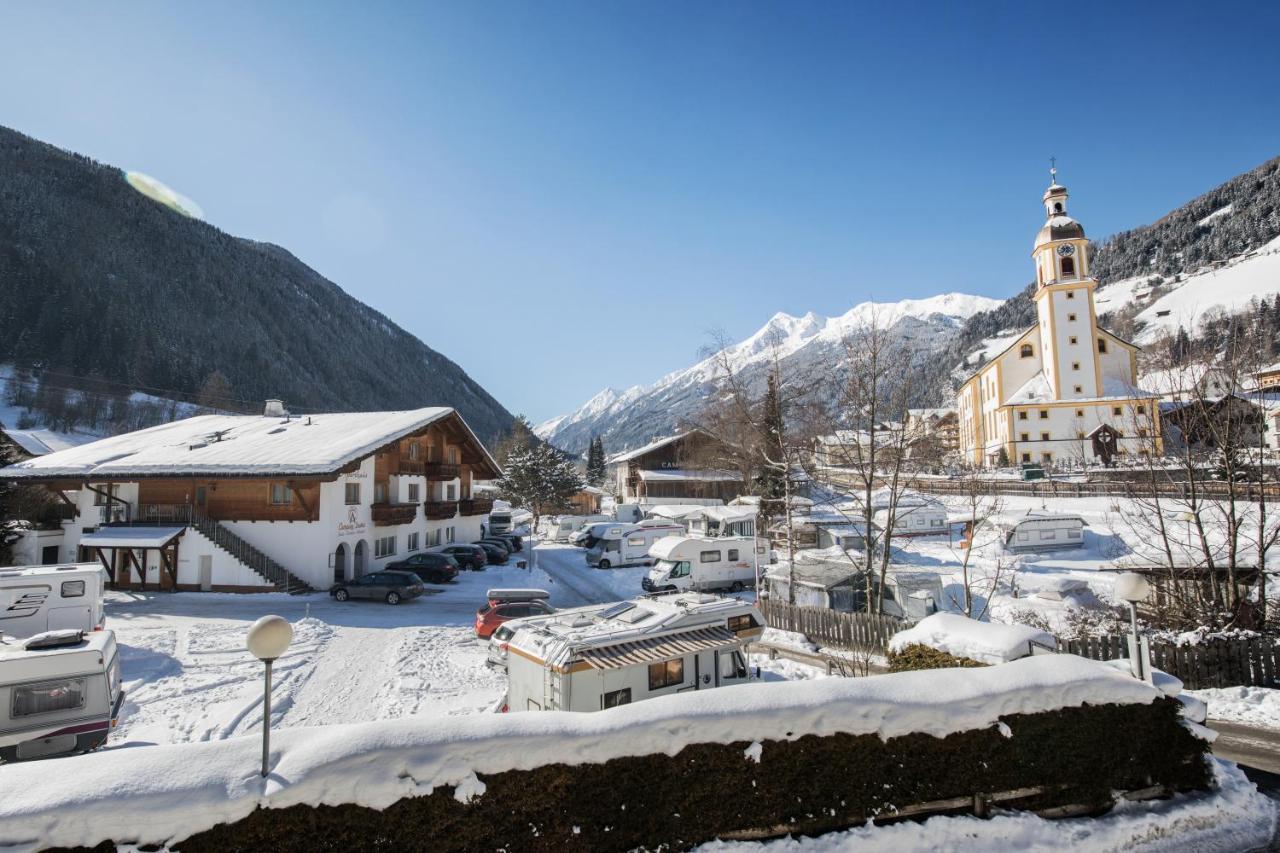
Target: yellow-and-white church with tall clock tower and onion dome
{"x":1066,"y":390}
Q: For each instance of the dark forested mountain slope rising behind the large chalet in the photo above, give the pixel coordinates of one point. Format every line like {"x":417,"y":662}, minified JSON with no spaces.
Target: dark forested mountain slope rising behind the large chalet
{"x":99,"y":280}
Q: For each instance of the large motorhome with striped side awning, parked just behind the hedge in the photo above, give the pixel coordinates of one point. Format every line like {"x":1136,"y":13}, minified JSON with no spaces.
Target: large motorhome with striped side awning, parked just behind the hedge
{"x":598,"y":658}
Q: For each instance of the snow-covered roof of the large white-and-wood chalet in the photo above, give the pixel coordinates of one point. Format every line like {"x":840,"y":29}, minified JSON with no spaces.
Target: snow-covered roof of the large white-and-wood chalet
{"x":240,"y":446}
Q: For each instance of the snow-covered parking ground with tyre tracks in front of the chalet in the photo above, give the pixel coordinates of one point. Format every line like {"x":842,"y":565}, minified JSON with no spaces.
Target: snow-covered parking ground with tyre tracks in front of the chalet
{"x":189,"y":678}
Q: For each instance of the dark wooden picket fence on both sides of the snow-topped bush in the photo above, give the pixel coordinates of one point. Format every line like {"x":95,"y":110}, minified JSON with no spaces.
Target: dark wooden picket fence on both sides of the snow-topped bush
{"x":1212,"y":664}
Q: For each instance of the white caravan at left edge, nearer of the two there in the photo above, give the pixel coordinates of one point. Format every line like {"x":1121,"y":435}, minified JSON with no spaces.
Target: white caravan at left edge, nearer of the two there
{"x":60,"y":694}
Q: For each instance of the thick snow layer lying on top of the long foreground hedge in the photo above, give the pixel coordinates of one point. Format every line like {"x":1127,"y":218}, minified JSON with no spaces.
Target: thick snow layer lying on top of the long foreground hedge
{"x":162,"y":795}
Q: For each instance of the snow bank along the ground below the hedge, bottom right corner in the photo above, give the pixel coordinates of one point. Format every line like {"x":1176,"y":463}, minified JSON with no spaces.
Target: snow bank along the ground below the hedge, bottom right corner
{"x":1235,"y":818}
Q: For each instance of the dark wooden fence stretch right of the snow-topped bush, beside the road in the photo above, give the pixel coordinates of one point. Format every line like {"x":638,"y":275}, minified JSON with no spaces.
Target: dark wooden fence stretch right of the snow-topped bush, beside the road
{"x":1249,"y":663}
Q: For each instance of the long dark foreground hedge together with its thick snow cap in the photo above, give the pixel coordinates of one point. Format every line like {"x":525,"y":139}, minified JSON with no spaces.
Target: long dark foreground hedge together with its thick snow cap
{"x":676,"y":772}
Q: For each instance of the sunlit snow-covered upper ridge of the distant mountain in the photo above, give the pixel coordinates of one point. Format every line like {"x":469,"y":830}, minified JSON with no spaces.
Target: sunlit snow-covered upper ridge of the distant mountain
{"x":807,"y":345}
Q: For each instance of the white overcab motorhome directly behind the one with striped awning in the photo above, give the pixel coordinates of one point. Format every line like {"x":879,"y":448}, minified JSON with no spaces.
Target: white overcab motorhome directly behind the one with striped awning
{"x":696,"y":563}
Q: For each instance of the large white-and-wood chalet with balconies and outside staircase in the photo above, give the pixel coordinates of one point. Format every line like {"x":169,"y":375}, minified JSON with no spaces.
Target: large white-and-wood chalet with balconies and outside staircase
{"x":249,"y":504}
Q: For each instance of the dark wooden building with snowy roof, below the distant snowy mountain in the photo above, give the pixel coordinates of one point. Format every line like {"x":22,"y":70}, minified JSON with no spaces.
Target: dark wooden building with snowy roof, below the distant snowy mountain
{"x":689,"y":467}
